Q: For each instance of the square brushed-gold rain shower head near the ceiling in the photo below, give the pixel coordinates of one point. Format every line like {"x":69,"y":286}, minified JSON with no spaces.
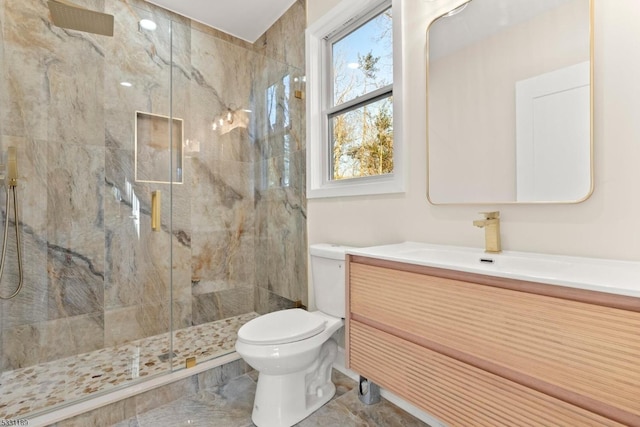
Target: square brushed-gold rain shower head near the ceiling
{"x":68,"y":15}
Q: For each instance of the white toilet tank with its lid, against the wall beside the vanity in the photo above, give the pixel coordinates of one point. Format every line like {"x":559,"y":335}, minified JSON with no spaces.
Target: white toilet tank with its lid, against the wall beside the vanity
{"x":328,"y":274}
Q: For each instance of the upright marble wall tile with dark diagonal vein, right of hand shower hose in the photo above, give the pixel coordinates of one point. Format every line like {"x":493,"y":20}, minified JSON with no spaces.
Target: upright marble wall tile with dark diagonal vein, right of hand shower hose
{"x":75,"y":229}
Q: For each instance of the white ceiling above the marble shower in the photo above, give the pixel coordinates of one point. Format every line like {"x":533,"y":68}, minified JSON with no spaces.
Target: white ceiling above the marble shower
{"x":245,"y":19}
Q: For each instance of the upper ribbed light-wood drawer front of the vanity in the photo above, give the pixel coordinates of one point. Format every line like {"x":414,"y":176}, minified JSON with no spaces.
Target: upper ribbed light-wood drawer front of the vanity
{"x":587,"y":352}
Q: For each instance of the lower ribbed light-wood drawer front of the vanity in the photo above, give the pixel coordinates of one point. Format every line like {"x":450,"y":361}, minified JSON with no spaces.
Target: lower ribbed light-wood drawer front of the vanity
{"x":454,"y":392}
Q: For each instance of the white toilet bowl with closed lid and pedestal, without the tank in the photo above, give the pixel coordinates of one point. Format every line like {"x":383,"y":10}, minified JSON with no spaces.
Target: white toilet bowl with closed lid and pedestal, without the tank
{"x":294,"y":367}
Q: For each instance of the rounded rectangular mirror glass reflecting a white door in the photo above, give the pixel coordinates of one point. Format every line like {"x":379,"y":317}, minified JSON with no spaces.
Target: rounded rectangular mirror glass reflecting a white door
{"x":509,"y":102}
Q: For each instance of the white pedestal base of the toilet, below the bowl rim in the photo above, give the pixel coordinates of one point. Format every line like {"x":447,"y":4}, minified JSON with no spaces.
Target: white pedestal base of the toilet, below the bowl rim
{"x":284,"y":400}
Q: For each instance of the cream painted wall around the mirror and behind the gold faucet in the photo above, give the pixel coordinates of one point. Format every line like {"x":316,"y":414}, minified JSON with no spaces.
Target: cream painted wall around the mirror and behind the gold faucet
{"x":607,"y":225}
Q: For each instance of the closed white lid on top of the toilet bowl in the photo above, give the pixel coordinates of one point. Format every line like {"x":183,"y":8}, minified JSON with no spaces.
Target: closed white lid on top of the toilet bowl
{"x":281,"y":327}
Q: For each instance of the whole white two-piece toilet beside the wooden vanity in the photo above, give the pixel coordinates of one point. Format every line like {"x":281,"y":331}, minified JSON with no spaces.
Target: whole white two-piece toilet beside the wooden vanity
{"x":292,"y":349}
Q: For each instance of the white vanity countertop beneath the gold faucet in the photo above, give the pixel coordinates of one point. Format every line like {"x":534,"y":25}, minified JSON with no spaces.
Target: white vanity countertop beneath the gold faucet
{"x":603,"y":275}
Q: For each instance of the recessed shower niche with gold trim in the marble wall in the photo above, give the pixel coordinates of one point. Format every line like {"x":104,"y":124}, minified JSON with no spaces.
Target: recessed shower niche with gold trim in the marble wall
{"x":158,"y":148}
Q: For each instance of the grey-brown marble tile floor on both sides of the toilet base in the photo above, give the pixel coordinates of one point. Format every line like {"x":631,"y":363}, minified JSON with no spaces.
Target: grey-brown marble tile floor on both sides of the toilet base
{"x":230,"y":405}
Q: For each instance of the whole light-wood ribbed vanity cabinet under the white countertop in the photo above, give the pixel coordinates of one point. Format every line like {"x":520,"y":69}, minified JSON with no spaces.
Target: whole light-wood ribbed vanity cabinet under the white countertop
{"x":474,"y":349}
